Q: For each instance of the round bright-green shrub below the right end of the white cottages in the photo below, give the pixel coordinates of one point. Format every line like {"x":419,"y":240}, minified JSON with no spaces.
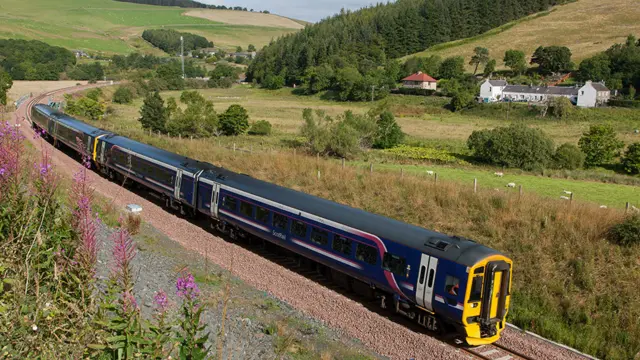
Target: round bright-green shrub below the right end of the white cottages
{"x":600,"y":145}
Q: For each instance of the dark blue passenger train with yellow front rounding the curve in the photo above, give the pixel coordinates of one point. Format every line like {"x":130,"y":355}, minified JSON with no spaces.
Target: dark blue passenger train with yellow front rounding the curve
{"x":444,"y":283}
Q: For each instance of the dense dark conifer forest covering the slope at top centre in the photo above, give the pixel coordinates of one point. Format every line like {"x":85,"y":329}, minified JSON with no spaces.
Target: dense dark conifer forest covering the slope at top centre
{"x":368,"y":38}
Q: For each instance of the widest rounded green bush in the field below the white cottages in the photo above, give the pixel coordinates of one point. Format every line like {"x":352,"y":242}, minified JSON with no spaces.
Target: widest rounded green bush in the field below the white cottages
{"x":513,"y":146}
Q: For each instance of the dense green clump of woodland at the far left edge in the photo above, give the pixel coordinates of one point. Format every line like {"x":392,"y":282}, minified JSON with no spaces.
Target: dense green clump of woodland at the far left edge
{"x":34,"y":60}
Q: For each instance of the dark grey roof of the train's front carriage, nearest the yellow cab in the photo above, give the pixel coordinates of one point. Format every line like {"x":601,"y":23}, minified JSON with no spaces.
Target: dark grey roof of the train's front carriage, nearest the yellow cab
{"x":453,"y":248}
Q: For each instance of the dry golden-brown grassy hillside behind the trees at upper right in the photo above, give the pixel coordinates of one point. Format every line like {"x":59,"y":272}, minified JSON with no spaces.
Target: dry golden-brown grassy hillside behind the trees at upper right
{"x":586,"y":27}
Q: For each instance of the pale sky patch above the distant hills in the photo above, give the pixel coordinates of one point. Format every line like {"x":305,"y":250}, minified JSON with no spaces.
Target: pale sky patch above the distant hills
{"x":309,"y":10}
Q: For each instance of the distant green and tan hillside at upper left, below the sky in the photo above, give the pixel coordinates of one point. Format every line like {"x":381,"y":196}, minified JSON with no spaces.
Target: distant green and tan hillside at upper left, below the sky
{"x":116,"y":27}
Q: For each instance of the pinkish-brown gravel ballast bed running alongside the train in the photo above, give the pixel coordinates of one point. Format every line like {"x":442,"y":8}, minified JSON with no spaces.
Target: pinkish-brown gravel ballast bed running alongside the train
{"x":350,"y":318}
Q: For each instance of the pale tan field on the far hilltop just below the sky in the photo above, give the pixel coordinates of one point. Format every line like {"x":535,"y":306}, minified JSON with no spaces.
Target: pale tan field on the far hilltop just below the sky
{"x":244,"y":18}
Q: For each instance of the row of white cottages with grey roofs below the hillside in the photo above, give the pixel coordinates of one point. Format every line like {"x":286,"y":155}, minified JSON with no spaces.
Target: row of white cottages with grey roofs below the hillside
{"x":590,"y":95}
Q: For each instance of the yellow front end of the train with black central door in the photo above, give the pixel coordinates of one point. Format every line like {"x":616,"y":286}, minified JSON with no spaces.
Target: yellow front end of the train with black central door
{"x":487,"y":300}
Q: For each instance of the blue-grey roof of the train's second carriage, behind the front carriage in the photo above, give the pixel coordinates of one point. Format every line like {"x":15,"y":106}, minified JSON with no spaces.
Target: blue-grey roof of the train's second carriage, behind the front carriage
{"x":182,"y":162}
